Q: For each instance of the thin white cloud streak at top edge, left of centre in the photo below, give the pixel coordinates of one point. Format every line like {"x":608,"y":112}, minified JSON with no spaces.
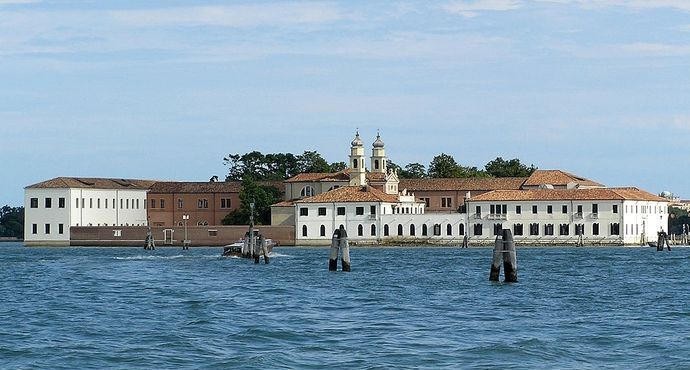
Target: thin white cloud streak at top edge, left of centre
{"x":240,"y":16}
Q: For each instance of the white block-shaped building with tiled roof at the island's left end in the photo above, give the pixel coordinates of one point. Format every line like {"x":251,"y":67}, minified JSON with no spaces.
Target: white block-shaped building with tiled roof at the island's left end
{"x":53,"y":206}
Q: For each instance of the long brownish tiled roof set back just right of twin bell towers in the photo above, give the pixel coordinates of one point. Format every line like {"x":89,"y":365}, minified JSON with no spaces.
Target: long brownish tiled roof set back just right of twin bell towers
{"x":464,"y":184}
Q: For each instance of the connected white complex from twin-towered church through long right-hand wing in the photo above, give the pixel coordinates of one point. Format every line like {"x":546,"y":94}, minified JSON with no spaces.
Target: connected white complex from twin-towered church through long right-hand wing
{"x":551,"y":207}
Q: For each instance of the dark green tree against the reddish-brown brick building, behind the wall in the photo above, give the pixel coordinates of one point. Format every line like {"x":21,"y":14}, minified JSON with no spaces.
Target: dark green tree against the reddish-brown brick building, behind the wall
{"x":262,"y":197}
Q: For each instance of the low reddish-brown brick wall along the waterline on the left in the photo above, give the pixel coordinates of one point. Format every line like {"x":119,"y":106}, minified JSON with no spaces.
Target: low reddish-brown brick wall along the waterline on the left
{"x":104,"y":236}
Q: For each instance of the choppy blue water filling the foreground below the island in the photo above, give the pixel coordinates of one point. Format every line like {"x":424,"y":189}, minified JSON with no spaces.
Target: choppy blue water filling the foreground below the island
{"x":93,"y":308}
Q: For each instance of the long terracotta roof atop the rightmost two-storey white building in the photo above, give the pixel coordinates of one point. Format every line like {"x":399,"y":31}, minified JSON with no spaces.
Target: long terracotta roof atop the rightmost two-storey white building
{"x":568,"y":194}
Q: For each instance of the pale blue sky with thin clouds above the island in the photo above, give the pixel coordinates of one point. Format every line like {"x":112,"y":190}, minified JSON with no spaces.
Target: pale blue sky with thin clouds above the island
{"x":164,"y":90}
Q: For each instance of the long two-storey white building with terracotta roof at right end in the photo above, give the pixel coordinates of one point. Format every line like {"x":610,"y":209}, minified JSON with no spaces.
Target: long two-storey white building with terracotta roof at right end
{"x":565,"y":216}
